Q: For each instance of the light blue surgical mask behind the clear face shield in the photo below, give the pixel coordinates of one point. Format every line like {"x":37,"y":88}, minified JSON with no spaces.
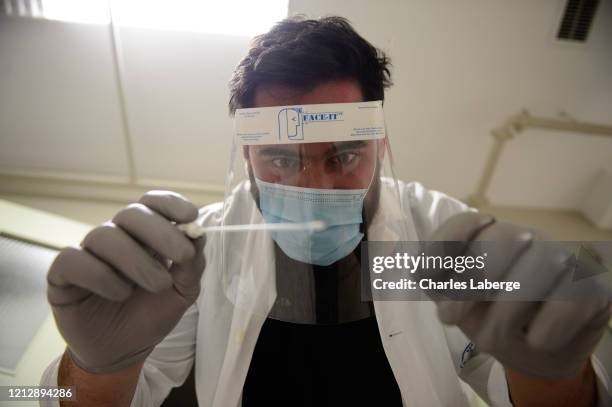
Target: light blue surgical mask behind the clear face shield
{"x":339,"y":209}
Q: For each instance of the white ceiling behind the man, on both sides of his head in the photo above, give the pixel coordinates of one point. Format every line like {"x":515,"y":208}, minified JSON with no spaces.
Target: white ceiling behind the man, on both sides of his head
{"x":460,"y":69}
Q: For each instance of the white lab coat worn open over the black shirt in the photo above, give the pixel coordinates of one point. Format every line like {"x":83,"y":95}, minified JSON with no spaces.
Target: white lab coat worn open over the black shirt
{"x":425,"y":356}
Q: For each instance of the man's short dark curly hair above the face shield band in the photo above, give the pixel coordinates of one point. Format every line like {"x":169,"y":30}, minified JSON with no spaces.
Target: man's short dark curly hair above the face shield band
{"x":303,"y":53}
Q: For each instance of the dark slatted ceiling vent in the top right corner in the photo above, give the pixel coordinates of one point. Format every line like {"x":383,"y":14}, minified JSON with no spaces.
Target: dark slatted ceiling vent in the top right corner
{"x":577,"y":20}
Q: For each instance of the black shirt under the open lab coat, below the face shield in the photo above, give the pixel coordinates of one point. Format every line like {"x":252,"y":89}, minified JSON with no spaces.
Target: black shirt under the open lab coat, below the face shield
{"x":320,"y":365}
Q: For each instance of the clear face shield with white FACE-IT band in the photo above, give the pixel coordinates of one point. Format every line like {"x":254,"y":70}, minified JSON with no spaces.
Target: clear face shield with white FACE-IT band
{"x":305,"y":184}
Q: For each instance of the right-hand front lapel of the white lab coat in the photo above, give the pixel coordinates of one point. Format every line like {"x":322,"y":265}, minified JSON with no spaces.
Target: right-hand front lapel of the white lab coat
{"x":411,"y":334}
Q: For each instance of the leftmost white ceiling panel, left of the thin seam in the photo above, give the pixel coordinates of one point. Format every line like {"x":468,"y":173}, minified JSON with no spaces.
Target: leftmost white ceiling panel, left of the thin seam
{"x":58,"y":101}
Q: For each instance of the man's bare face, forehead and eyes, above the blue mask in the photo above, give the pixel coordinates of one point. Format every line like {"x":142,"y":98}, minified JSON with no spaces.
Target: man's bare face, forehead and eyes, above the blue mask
{"x":333,"y":165}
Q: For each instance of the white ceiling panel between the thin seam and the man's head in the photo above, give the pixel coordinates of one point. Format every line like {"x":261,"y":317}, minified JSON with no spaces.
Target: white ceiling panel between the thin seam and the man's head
{"x":176,"y":84}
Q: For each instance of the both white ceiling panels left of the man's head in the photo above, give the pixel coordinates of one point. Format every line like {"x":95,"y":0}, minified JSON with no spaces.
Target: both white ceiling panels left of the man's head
{"x":59,"y":108}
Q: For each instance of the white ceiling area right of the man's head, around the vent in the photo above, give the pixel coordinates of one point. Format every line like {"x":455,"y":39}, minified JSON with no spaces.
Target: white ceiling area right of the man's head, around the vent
{"x":462,"y":67}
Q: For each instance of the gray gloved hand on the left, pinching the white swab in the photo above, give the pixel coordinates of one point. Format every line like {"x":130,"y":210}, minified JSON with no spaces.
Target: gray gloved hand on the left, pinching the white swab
{"x":127,"y":286}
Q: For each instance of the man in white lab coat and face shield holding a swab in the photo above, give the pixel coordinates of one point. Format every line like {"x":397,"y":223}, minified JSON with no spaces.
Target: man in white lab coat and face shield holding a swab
{"x":278,"y":319}
